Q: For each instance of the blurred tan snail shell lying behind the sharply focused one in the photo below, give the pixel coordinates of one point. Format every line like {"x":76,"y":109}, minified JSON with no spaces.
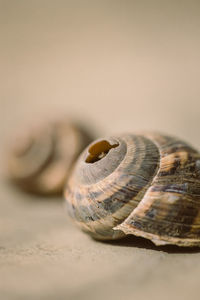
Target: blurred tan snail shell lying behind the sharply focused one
{"x":41,"y":159}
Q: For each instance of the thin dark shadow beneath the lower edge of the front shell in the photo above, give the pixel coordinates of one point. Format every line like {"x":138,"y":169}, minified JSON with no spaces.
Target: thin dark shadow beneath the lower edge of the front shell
{"x":139,"y":242}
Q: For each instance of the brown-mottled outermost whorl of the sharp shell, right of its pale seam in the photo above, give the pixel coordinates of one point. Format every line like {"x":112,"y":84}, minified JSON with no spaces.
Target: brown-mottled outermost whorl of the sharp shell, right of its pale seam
{"x":169,"y":211}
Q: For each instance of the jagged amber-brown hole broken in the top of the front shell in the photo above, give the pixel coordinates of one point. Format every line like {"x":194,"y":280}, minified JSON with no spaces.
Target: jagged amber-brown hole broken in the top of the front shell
{"x":99,"y":150}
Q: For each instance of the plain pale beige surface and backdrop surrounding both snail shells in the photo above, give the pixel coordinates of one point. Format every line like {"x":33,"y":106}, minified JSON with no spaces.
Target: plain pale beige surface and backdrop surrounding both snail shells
{"x":121,"y":66}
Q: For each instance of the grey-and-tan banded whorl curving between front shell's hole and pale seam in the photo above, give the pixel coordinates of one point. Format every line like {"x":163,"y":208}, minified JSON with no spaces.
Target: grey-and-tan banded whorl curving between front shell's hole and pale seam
{"x":110,"y":200}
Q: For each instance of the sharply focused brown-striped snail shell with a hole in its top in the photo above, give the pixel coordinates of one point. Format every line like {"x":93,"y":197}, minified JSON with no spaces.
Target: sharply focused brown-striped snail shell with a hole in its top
{"x":147,"y":185}
